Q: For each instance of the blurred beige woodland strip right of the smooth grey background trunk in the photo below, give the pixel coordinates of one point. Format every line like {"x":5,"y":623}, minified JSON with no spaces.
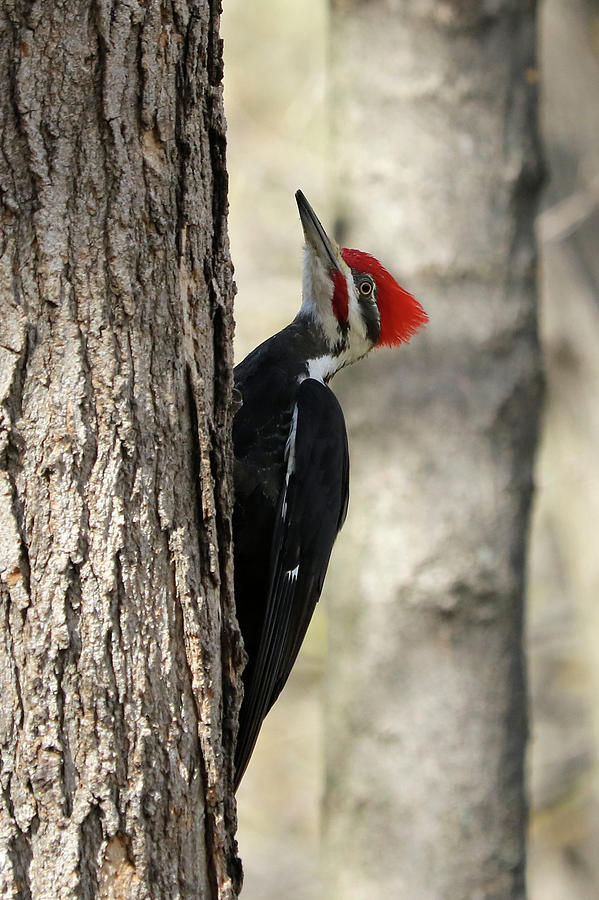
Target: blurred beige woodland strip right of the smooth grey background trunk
{"x":563,"y":617}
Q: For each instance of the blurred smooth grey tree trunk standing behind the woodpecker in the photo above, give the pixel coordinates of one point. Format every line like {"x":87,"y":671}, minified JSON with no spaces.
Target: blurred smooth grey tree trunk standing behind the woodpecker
{"x":435,"y":147}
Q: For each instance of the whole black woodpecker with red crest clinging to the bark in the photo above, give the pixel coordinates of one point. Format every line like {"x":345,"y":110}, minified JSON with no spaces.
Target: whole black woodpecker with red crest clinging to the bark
{"x":291,"y":456}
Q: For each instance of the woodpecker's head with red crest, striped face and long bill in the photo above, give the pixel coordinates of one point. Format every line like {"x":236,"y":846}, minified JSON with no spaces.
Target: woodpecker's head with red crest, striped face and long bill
{"x":355,"y":301}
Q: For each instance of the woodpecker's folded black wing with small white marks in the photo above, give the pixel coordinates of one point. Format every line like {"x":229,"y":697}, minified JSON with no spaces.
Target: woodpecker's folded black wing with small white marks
{"x":311,"y":510}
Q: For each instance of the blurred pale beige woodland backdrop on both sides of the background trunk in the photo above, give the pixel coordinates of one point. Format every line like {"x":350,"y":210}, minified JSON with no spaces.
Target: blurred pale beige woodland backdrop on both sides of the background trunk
{"x":276,"y":54}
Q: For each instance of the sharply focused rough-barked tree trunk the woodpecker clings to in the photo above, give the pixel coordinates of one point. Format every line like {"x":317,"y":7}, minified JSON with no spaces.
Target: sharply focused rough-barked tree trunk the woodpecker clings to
{"x":115,"y":539}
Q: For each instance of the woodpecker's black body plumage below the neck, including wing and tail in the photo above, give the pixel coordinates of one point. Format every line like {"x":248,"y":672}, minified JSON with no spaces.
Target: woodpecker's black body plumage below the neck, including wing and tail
{"x":291,"y":499}
